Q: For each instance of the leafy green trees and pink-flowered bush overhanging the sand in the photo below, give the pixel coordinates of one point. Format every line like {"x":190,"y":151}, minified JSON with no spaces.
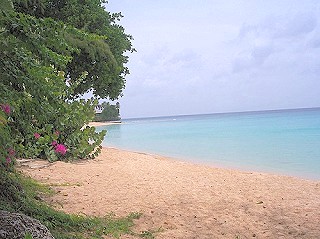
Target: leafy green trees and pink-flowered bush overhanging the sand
{"x":45,"y":65}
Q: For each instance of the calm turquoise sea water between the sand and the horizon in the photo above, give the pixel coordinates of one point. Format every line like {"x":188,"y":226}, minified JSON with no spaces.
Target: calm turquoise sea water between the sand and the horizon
{"x":285,"y":142}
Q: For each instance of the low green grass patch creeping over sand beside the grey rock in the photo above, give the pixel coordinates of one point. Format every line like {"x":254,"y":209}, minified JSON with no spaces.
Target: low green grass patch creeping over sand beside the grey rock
{"x":24,"y":195}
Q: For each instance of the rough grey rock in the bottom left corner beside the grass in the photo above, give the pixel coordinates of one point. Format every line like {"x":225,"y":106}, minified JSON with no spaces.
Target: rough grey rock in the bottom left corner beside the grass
{"x":15,"y":226}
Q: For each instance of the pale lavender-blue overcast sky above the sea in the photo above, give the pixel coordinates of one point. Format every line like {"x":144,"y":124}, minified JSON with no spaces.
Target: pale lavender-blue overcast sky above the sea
{"x":210,"y":56}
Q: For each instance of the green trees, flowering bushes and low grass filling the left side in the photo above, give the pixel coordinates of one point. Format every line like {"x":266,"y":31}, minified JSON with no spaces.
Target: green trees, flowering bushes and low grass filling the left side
{"x":52,"y":52}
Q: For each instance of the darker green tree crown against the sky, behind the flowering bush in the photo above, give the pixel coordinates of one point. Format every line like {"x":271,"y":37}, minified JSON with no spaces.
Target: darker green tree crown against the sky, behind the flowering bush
{"x":106,"y":71}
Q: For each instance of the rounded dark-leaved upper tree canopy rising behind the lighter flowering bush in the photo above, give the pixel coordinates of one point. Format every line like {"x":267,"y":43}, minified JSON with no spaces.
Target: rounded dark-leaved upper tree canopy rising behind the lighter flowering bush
{"x":101,"y":58}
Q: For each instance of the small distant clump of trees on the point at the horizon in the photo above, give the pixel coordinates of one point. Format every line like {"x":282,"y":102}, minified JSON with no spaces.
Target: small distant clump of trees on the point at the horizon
{"x":109,"y":112}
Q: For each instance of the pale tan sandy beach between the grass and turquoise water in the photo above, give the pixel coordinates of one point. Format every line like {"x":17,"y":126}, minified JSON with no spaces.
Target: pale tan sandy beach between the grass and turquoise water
{"x":185,"y":200}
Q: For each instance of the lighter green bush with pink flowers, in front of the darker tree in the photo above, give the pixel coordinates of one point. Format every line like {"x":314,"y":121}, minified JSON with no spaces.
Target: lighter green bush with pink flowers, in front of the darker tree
{"x":35,"y":53}
